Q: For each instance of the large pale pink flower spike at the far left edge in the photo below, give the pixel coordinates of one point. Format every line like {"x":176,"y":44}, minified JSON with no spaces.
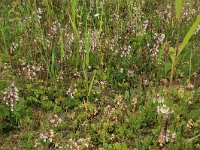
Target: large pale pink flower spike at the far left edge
{"x":11,"y":96}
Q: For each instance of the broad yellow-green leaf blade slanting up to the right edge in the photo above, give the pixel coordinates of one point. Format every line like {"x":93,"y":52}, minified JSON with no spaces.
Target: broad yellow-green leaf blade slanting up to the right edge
{"x":189,"y":34}
